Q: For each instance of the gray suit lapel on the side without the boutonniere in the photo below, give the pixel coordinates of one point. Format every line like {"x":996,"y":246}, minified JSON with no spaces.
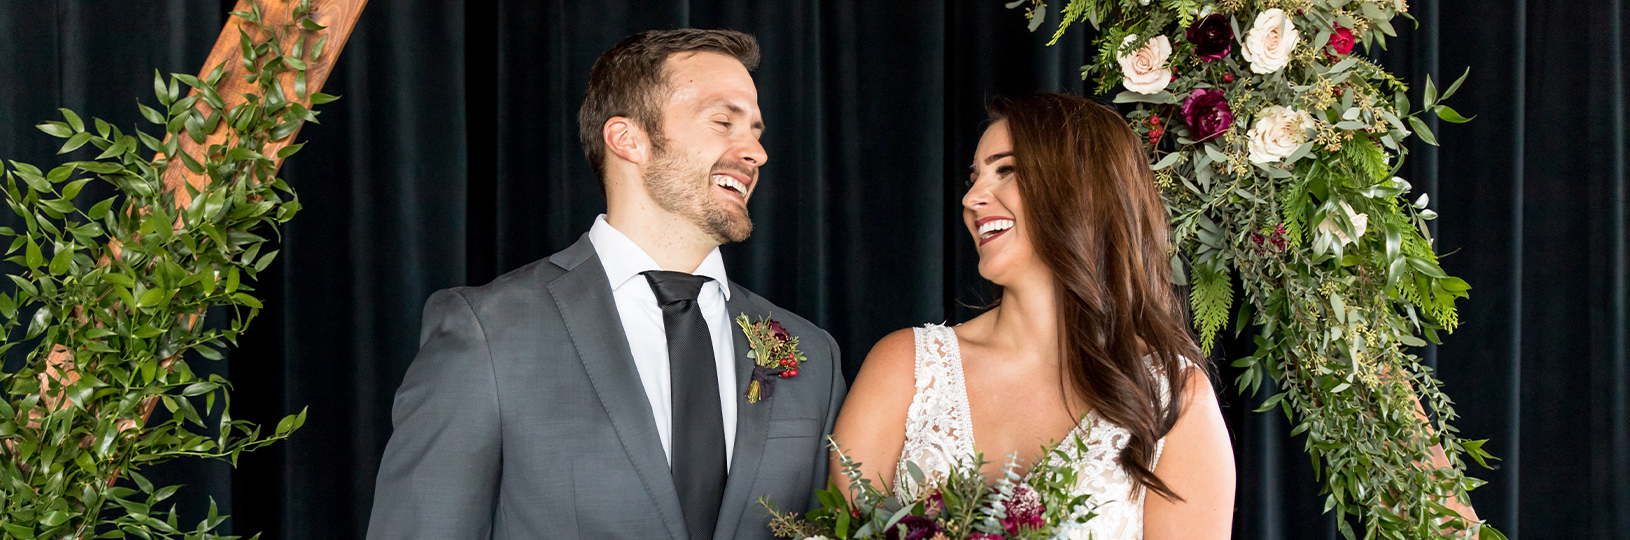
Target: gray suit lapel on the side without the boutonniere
{"x":584,"y":299}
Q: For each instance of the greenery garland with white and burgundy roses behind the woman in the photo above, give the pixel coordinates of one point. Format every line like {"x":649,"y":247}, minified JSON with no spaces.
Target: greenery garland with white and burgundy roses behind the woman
{"x":1277,"y":154}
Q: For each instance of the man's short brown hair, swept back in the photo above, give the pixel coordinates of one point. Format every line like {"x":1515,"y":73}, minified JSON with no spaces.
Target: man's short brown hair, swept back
{"x":630,"y":81}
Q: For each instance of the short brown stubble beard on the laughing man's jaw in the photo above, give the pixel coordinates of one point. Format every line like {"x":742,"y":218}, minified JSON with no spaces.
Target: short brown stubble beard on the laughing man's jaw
{"x":687,"y":190}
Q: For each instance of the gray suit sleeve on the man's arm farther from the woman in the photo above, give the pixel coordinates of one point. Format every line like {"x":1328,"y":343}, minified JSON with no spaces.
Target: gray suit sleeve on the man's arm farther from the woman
{"x":441,"y":471}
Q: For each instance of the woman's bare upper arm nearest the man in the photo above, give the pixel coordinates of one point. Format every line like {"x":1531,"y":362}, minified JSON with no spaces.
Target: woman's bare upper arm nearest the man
{"x":873,"y":425}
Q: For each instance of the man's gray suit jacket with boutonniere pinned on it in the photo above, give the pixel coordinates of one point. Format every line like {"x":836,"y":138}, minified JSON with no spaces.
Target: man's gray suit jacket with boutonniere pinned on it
{"x":524,"y":418}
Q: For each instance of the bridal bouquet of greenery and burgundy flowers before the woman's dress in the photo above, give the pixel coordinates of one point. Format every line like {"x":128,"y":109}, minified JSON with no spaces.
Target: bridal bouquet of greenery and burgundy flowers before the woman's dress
{"x":961,"y":507}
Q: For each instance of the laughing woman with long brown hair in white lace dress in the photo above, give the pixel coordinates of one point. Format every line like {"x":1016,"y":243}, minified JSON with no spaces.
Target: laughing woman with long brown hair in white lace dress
{"x":1090,"y":339}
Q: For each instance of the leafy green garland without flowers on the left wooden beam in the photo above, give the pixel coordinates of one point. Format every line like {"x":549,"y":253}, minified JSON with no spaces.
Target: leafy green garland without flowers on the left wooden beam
{"x":113,"y":293}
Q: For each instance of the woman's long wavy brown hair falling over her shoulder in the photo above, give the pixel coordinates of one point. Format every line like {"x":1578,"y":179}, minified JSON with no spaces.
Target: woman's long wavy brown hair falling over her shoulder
{"x":1096,"y":219}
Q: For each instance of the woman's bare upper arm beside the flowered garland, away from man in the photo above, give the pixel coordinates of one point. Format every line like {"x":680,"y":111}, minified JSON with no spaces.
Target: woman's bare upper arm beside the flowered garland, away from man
{"x":1199,"y":466}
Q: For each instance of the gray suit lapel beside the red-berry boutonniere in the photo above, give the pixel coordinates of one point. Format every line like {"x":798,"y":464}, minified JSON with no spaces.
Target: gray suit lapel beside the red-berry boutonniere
{"x":752,"y":423}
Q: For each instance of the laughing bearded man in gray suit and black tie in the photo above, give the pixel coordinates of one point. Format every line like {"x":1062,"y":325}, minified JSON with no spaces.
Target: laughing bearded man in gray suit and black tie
{"x":601,"y":394}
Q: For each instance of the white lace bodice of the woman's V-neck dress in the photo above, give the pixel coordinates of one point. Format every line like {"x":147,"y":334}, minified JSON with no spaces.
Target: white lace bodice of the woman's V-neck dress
{"x":940,"y":433}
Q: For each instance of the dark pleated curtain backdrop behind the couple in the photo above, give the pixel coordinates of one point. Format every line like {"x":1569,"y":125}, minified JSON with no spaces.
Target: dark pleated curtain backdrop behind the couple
{"x":454,"y":159}
